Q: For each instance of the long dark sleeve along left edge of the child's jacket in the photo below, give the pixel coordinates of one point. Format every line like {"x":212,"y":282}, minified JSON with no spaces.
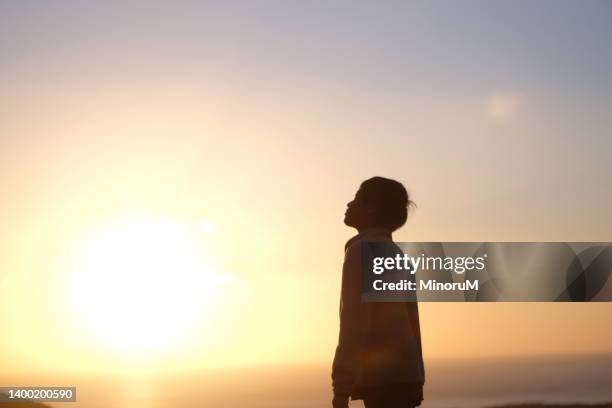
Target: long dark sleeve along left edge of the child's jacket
{"x":354,"y":324}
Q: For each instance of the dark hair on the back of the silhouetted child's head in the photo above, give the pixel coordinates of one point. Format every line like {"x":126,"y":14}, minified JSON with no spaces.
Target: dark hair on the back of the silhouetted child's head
{"x":389,"y":200}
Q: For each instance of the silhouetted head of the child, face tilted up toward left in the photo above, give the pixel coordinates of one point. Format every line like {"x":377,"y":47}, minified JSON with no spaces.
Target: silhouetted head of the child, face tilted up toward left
{"x":379,"y":203}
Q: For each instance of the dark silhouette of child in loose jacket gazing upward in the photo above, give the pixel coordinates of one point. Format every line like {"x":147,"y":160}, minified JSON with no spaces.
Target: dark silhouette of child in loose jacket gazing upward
{"x":379,"y":357}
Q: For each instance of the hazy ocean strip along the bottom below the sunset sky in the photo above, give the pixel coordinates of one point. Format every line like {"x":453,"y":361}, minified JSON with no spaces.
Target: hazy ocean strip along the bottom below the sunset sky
{"x":449,"y":383}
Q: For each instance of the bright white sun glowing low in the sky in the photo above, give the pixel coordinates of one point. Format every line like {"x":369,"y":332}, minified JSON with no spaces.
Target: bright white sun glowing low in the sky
{"x":140,"y":284}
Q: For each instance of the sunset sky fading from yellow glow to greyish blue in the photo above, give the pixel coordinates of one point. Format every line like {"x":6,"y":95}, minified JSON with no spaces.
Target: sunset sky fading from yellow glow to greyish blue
{"x":242,"y":129}
